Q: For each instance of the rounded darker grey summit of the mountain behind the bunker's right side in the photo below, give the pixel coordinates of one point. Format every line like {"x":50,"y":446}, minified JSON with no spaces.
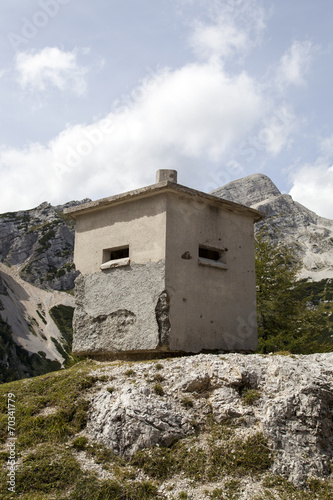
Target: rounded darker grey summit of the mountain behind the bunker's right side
{"x":249,"y":190}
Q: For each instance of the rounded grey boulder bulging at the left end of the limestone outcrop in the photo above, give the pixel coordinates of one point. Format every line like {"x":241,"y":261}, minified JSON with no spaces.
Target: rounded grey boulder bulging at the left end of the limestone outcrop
{"x":134,"y":418}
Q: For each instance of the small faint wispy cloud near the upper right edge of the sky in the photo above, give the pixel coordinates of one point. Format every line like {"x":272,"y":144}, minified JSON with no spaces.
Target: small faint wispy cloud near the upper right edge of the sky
{"x":295,"y":64}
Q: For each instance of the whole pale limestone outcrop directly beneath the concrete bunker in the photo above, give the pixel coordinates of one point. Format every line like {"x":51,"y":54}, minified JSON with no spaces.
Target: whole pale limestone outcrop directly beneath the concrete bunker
{"x":293,"y":410}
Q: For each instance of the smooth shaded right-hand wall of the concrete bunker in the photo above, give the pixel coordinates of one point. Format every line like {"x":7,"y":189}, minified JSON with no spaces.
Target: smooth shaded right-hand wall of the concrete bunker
{"x":210,"y":308}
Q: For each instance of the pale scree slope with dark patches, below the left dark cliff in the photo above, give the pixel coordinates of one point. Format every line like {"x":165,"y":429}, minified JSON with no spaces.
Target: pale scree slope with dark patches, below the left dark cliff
{"x":31,"y":341}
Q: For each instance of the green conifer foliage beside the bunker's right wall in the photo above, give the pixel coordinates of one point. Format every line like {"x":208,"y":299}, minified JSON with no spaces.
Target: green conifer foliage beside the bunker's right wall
{"x":286,"y":320}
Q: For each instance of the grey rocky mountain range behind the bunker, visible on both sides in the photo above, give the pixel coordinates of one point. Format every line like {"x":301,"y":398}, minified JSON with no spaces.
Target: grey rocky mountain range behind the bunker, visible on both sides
{"x":37,"y":272}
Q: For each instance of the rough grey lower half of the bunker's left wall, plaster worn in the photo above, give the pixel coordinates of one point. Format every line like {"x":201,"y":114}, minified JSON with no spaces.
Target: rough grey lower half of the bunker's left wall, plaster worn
{"x":124,"y":309}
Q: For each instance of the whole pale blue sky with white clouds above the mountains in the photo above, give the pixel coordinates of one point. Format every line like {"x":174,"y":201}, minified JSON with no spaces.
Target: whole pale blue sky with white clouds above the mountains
{"x":97,"y":95}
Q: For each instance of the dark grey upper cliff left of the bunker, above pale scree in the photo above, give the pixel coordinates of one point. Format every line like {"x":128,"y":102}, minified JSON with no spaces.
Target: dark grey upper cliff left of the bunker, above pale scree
{"x":39,"y":243}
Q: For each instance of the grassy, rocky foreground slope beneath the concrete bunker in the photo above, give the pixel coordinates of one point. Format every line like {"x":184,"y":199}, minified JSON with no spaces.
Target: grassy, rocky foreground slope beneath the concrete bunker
{"x":231,"y":426}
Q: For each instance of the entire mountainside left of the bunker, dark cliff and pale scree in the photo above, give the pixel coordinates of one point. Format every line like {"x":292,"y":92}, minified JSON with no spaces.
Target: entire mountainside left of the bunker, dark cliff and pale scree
{"x":36,"y":254}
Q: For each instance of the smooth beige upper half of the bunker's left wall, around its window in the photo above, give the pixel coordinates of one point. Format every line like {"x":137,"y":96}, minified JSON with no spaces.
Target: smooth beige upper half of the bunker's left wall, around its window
{"x":140,"y":223}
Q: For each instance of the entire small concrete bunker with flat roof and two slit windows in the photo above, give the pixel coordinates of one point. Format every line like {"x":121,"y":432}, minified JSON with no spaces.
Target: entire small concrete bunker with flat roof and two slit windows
{"x":164,"y":268}
